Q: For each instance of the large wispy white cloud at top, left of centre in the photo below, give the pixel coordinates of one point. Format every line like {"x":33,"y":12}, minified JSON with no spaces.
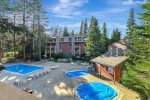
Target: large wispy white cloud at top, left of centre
{"x":68,"y":8}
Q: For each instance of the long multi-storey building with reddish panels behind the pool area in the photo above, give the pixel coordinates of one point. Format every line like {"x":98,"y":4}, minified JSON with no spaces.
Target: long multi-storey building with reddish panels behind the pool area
{"x":69,"y":46}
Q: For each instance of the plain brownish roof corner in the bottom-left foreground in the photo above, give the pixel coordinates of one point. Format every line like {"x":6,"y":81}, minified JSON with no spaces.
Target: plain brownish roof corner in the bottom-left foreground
{"x":11,"y":93}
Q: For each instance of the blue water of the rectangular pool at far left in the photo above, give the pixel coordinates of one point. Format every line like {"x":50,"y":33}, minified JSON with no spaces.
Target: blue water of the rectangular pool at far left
{"x":22,"y":68}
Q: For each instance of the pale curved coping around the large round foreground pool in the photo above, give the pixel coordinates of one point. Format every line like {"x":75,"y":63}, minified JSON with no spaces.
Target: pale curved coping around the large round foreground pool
{"x":116,"y":98}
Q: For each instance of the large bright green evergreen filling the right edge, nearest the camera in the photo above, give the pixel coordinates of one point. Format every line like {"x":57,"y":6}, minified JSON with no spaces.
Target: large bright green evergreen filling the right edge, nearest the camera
{"x":137,"y":73}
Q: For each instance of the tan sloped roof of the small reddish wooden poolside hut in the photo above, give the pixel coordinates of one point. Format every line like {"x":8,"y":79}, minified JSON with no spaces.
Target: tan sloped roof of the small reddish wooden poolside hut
{"x":110,"y":61}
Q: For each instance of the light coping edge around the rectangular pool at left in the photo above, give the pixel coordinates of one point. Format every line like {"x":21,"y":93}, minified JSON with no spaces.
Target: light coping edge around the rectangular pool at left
{"x":26,"y":73}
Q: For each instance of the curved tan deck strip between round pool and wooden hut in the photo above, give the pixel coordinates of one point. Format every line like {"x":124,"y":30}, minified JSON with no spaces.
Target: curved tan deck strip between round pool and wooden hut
{"x":123,"y":92}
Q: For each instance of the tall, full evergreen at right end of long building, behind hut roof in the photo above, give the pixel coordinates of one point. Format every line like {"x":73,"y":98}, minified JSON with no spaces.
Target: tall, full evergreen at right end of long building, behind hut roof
{"x":93,"y":40}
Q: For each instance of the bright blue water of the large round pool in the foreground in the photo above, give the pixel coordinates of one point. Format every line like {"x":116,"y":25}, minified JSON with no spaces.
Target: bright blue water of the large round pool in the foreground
{"x":96,"y":91}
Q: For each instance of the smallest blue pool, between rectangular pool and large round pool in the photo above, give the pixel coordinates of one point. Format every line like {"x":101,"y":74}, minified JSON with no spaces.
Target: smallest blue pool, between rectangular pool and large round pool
{"x":76,"y":73}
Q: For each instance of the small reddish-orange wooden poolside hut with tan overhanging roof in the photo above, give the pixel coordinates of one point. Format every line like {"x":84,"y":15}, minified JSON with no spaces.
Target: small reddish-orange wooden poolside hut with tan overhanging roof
{"x":110,"y":65}
